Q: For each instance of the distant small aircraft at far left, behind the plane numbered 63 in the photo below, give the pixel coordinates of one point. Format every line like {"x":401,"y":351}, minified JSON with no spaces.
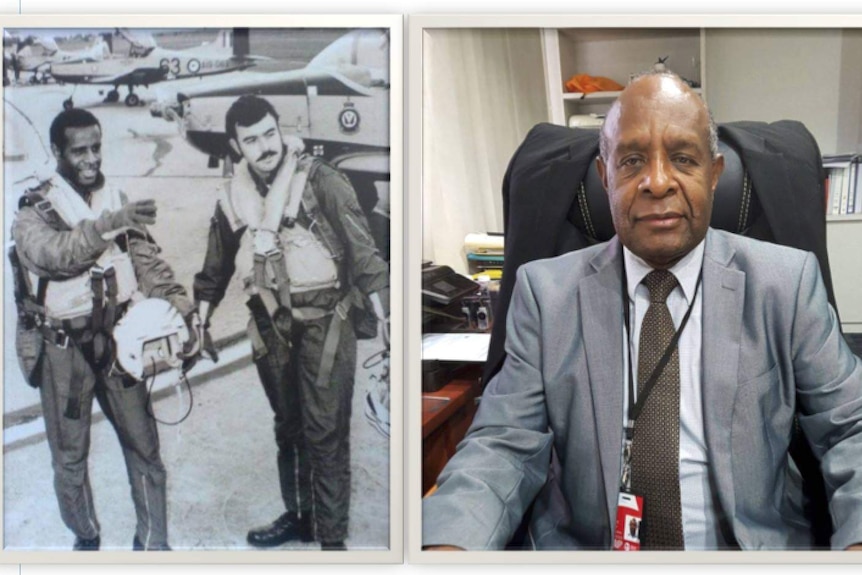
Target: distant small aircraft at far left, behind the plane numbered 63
{"x":39,"y":54}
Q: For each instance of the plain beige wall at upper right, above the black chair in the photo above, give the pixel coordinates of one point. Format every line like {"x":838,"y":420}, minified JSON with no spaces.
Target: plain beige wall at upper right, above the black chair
{"x":775,"y":74}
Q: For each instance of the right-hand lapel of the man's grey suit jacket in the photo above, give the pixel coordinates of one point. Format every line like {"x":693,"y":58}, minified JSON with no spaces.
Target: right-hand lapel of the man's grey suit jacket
{"x":723,"y":299}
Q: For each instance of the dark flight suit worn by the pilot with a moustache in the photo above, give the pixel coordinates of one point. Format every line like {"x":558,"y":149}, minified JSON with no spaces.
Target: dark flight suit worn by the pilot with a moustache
{"x":324,"y":406}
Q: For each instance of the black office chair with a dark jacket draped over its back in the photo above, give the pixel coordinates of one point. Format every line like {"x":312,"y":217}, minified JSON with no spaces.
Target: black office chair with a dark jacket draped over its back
{"x":772,"y":189}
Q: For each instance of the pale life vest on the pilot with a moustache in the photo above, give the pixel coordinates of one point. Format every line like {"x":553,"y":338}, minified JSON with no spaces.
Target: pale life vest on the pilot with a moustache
{"x":310,"y":260}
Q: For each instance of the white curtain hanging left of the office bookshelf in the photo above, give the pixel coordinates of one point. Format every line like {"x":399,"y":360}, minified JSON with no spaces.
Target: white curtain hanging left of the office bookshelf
{"x":483,"y":89}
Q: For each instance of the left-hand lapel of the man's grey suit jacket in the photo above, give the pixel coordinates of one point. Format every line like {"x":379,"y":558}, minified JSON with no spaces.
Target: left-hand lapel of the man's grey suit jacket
{"x":601,"y":293}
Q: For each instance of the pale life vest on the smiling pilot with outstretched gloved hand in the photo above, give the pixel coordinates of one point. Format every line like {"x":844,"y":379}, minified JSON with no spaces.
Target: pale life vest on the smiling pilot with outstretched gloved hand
{"x":72,"y":298}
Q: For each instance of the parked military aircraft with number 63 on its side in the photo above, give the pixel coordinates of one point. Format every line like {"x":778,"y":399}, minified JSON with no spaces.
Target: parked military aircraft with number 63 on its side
{"x":148,"y":64}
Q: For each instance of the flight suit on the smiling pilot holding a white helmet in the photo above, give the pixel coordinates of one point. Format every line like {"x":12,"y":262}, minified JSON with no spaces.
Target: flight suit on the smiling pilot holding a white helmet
{"x":70,"y":373}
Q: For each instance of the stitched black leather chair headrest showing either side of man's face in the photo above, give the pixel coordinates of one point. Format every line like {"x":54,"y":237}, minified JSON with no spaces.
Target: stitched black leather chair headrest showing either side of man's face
{"x":734,"y":207}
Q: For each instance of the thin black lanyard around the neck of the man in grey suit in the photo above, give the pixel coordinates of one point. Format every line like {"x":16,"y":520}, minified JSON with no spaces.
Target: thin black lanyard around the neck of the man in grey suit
{"x":635,"y":407}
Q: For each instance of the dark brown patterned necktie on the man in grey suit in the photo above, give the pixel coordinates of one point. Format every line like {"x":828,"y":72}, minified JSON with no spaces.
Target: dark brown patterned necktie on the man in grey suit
{"x":655,"y":448}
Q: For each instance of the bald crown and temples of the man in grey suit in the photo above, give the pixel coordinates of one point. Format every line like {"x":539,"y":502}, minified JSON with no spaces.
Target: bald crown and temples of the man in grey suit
{"x":656,"y":85}
